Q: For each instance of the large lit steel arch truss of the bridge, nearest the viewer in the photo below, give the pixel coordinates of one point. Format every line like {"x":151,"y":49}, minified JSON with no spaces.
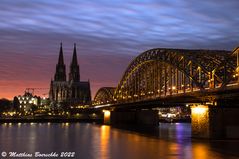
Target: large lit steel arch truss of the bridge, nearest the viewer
{"x":162,"y":72}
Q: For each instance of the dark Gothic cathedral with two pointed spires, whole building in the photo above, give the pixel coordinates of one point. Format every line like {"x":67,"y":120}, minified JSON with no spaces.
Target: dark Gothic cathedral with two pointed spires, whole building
{"x":72,"y":91}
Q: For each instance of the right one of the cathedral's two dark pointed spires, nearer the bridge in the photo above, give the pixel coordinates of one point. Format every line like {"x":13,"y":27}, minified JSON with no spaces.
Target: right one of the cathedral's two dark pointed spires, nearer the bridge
{"x":74,"y":74}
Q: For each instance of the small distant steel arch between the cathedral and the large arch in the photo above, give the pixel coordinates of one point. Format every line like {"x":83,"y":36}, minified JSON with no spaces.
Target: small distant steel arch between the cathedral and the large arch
{"x":104,"y":95}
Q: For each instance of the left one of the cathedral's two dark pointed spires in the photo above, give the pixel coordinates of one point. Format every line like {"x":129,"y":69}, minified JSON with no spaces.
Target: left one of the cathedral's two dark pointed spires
{"x":60,"y":74}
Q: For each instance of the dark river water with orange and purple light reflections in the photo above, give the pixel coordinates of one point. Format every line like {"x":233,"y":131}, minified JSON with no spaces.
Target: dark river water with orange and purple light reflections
{"x":91,"y":141}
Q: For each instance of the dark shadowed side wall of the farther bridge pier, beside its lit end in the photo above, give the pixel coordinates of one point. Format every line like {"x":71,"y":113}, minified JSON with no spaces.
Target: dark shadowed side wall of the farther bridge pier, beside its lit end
{"x":135,"y":117}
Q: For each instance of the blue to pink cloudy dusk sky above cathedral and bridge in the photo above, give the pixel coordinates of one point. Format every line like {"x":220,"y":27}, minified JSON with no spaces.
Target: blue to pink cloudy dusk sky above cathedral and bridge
{"x":108,"y":34}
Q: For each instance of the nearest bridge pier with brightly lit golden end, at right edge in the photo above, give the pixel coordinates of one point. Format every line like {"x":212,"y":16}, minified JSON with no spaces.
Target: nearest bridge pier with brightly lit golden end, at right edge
{"x":214,"y":122}
